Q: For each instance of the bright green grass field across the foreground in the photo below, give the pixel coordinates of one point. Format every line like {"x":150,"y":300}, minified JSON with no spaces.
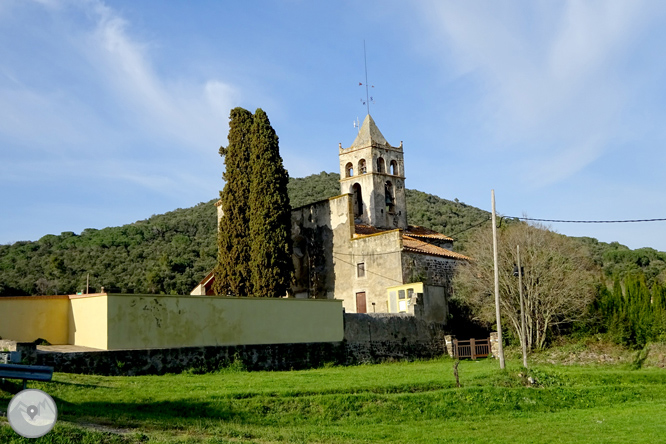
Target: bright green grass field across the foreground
{"x":407,"y":402}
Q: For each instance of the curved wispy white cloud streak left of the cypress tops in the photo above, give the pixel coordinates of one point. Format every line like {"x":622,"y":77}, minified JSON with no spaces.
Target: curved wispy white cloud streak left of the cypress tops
{"x":192,"y":112}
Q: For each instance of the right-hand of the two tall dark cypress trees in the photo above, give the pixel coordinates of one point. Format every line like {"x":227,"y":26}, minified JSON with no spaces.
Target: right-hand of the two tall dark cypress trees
{"x":270,"y":213}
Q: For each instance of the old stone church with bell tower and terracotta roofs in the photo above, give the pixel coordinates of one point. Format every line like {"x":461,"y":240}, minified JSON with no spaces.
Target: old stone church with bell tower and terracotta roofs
{"x":358,"y":247}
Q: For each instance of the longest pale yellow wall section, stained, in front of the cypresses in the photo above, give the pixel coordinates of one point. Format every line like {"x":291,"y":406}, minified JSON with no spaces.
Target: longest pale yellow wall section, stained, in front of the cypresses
{"x":145,"y":321}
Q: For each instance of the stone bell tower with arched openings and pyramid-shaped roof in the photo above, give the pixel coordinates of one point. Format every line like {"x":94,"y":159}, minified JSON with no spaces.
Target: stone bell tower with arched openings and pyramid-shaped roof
{"x":373,"y":172}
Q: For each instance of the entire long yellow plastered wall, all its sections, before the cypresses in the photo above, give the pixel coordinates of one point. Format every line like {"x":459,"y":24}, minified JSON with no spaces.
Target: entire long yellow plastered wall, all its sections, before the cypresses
{"x":111,"y":322}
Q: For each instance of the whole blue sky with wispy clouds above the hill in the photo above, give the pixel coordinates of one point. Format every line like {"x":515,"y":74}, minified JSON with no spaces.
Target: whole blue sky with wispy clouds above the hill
{"x":111,"y":112}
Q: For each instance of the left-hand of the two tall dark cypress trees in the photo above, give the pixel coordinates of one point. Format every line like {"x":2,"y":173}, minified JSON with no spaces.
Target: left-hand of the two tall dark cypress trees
{"x":232,"y":275}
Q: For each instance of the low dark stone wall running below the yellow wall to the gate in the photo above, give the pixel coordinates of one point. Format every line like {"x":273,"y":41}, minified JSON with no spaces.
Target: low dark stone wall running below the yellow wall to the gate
{"x":367,"y":339}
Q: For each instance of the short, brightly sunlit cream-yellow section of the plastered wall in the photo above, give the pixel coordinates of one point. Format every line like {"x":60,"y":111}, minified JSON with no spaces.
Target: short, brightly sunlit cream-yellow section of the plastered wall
{"x":88,"y":324}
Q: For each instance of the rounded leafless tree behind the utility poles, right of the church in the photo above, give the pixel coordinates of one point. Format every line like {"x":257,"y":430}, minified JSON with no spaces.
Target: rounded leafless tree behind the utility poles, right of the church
{"x":558,"y":279}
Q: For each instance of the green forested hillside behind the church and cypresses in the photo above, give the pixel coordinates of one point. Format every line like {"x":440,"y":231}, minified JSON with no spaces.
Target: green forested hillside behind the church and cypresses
{"x":172,"y":252}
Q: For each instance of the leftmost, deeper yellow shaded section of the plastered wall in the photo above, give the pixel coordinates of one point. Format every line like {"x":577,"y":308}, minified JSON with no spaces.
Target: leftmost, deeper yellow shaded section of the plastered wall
{"x":25,"y":319}
